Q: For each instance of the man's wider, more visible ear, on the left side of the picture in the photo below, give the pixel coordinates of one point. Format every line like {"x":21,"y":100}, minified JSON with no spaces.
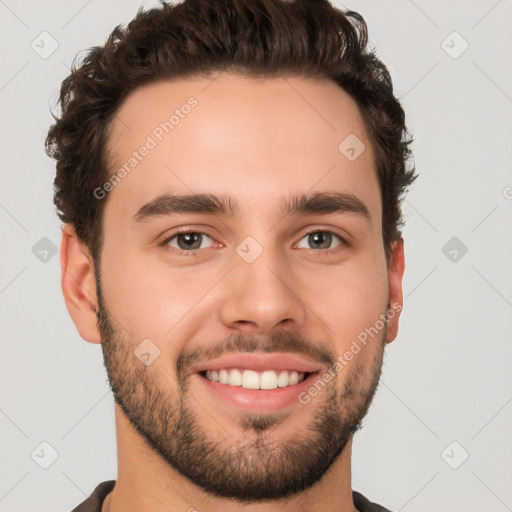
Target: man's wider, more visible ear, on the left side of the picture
{"x":78,"y":284}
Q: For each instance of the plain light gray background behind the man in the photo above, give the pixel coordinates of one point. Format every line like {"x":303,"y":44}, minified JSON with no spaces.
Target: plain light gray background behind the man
{"x":448,"y":375}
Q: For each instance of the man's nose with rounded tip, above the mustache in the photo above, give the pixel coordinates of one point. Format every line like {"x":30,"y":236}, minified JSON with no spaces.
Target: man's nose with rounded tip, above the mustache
{"x":262,"y":296}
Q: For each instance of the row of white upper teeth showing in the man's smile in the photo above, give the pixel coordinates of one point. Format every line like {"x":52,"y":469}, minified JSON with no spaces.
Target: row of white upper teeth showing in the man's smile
{"x":249,"y":379}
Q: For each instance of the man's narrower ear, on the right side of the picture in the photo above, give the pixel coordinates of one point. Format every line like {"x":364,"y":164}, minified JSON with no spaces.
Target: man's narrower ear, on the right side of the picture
{"x":395,"y":274}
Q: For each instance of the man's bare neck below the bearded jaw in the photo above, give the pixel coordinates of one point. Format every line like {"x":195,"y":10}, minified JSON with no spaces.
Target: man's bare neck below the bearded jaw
{"x":146,"y":482}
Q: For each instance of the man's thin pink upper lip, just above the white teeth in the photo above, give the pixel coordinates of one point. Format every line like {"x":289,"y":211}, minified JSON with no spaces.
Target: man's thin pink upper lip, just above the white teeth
{"x":258,"y":362}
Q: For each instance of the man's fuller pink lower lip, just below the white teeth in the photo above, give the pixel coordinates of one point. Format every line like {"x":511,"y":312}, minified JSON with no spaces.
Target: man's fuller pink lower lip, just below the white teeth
{"x":257,"y":400}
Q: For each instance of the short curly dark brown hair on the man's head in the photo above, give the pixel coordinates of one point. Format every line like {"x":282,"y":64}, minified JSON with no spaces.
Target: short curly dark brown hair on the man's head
{"x":258,"y":38}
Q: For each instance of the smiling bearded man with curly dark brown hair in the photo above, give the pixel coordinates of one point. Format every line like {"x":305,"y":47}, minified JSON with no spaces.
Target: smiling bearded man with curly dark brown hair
{"x":229,"y":176}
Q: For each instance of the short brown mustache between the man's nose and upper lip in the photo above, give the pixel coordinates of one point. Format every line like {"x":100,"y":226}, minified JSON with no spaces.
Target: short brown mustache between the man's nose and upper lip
{"x":279,"y":341}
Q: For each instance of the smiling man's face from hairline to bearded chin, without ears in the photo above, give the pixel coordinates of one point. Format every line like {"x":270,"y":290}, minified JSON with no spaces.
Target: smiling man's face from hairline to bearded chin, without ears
{"x":267,"y":284}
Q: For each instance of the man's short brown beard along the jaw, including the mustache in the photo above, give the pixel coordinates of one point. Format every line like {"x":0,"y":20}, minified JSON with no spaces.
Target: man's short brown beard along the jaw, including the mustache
{"x":254,"y":466}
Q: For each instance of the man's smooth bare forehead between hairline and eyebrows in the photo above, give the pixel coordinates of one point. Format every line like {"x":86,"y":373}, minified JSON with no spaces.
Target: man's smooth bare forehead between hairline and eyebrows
{"x":234,"y":135}
